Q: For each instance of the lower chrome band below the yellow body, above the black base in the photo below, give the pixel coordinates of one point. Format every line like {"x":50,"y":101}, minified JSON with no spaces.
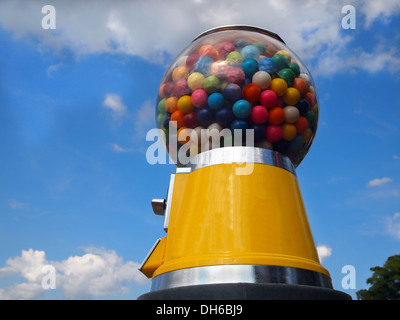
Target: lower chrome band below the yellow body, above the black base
{"x":239,"y":274}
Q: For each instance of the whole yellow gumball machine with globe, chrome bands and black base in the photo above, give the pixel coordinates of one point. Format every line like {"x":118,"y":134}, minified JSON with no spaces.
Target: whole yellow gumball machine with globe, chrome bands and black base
{"x":238,"y":112}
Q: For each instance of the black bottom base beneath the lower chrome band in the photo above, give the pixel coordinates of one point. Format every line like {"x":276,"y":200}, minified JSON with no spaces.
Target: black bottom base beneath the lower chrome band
{"x":246,"y":291}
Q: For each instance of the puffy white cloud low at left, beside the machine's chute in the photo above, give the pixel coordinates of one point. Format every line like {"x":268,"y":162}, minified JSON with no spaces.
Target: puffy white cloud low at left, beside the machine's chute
{"x":97,"y":273}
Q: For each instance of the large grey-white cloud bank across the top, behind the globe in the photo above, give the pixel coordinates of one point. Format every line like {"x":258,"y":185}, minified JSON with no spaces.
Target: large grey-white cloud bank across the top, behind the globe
{"x":143,"y":28}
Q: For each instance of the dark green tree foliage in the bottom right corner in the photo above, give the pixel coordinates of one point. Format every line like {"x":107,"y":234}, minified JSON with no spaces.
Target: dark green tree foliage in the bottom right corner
{"x":385,"y":282}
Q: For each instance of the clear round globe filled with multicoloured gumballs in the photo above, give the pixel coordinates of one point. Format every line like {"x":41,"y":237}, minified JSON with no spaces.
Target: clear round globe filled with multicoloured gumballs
{"x":237,"y":86}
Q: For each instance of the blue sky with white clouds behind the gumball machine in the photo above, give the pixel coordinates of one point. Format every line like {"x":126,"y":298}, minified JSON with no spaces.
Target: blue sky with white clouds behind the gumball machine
{"x":76,"y":103}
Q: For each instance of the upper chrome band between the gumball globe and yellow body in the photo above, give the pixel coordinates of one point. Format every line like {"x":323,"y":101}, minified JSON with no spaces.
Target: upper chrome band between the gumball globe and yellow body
{"x":241,"y":155}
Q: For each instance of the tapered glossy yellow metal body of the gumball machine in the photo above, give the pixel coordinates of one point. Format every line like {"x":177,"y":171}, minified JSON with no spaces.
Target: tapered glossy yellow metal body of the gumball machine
{"x":220,"y":218}
